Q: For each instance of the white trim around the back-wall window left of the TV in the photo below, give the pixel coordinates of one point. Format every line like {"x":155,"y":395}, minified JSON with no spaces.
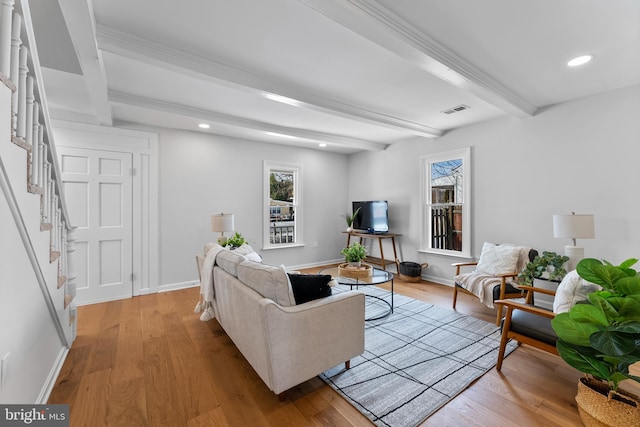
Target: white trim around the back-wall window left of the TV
{"x":296,"y":170}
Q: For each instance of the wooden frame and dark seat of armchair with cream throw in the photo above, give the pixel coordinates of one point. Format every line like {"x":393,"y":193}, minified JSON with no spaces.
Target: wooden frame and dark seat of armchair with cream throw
{"x":504,"y":288}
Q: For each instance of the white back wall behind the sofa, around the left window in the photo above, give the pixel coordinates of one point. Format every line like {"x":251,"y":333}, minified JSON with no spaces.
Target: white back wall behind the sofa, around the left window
{"x":203,"y":174}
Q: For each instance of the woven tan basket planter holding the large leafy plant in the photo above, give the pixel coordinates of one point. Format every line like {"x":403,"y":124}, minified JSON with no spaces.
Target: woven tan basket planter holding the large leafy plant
{"x":598,"y":410}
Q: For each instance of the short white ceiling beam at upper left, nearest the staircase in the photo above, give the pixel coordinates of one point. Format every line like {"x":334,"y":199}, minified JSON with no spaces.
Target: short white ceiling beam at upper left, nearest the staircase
{"x":79,"y":18}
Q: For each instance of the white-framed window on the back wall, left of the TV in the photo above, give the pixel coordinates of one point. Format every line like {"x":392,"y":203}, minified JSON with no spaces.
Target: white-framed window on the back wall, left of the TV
{"x":282,"y":210}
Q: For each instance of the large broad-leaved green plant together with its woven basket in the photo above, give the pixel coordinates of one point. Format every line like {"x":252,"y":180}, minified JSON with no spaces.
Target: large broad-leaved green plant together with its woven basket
{"x":602,"y":338}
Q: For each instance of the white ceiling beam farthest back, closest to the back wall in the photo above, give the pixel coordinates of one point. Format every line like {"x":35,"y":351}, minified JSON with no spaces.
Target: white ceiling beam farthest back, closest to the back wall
{"x":226,"y":119}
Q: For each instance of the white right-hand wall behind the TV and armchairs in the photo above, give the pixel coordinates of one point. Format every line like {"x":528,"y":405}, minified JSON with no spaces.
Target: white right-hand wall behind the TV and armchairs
{"x":579,"y":156}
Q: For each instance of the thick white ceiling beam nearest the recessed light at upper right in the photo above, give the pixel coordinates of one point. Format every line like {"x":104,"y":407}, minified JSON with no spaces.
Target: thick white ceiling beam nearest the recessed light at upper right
{"x":383,"y":27}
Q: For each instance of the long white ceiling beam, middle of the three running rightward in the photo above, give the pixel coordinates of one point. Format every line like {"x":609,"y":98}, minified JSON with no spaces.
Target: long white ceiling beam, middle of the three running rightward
{"x":196,"y":66}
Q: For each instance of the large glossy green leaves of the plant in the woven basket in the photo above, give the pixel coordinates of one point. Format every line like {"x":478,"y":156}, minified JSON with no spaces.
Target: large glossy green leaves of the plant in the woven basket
{"x":602,"y":337}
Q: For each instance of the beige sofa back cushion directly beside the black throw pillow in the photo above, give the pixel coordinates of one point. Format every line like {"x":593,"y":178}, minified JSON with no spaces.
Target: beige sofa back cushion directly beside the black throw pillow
{"x":267,"y":280}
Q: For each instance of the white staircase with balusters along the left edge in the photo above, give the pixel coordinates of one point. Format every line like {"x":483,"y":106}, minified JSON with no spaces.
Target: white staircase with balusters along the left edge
{"x":29,"y":174}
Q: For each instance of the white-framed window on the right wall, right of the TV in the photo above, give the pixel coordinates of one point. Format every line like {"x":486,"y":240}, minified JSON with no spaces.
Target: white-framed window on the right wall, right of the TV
{"x":446,"y":203}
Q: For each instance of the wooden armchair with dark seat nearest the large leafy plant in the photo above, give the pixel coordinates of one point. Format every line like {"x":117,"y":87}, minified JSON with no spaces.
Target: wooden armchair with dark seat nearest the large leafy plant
{"x":527,"y":323}
